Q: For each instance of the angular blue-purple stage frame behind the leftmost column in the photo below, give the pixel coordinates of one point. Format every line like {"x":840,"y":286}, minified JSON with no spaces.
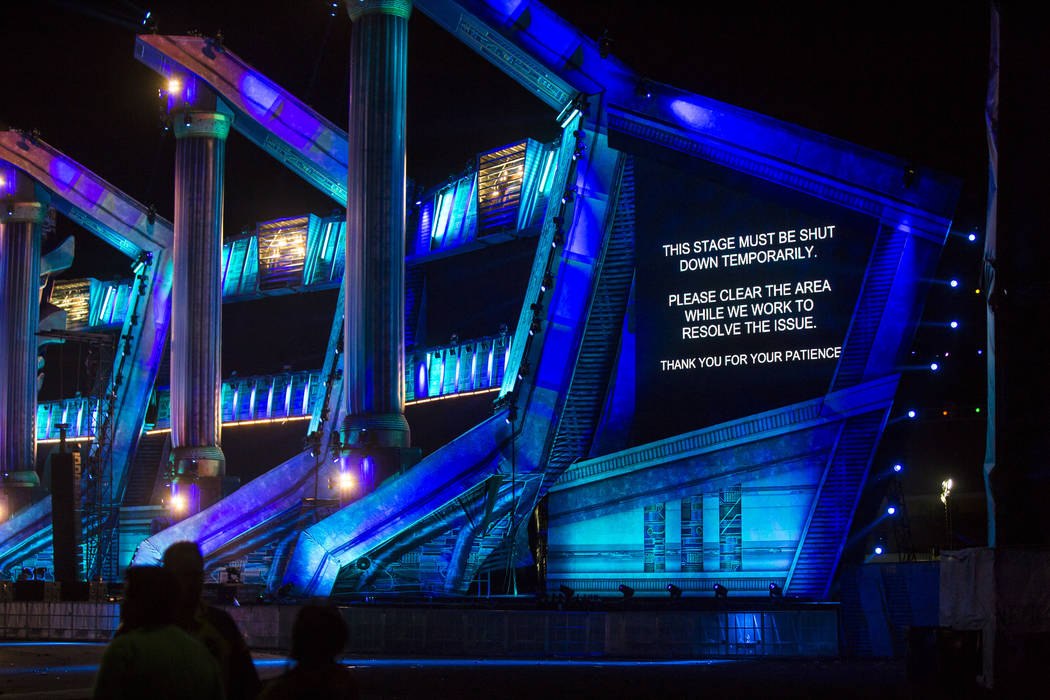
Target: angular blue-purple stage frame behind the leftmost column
{"x":137,"y":232}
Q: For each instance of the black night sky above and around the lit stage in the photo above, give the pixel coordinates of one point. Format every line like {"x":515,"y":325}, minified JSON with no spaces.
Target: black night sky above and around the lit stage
{"x":908,"y":79}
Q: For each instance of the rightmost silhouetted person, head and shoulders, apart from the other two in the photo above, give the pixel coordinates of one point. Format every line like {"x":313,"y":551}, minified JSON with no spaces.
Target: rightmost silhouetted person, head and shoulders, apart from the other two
{"x":319,"y":638}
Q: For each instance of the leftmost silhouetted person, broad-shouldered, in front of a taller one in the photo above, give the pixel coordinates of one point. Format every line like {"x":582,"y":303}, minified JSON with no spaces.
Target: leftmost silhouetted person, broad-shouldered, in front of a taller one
{"x":151,"y":656}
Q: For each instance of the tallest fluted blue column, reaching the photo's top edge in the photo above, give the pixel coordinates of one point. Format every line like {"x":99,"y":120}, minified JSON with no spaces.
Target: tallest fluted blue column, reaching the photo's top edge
{"x":374,"y":321}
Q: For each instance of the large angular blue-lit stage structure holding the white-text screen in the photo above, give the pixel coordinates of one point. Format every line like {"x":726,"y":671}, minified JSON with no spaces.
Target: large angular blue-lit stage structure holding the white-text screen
{"x":705,"y":360}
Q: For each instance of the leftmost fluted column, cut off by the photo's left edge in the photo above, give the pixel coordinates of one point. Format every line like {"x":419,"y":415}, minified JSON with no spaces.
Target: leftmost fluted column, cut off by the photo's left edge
{"x":23,"y":211}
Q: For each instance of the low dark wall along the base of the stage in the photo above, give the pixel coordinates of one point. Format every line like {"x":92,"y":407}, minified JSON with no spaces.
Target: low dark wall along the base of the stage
{"x":445,"y":632}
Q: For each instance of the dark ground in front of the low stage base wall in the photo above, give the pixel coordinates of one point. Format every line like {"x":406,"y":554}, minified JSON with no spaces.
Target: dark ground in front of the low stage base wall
{"x":43,"y":670}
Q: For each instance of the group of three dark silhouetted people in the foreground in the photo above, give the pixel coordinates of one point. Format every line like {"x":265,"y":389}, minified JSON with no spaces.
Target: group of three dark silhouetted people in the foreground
{"x":172,"y":645}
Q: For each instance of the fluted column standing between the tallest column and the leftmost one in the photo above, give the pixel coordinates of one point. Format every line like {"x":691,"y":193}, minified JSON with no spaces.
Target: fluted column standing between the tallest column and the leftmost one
{"x":197,"y":304}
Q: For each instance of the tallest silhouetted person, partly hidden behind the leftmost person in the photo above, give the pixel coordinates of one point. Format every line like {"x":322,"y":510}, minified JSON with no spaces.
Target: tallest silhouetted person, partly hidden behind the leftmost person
{"x":212,"y":626}
